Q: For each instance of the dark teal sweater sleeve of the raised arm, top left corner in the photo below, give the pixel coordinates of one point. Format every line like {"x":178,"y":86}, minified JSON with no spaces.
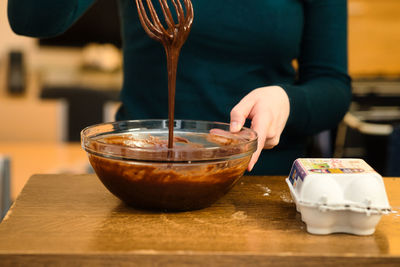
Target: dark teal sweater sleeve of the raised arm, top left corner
{"x":44,"y":18}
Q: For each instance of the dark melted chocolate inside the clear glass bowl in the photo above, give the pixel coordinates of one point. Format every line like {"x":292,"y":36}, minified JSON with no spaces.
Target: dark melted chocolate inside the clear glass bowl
{"x":164,"y":185}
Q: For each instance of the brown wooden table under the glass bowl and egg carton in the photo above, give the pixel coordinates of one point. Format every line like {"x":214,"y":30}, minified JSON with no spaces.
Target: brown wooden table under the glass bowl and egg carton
{"x":73,"y":220}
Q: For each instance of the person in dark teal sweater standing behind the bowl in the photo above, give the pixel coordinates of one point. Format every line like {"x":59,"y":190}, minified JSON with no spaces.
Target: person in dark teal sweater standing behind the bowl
{"x":237,"y":66}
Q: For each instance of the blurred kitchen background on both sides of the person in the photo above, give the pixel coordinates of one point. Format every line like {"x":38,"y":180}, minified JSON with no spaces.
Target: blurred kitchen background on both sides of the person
{"x":52,"y":88}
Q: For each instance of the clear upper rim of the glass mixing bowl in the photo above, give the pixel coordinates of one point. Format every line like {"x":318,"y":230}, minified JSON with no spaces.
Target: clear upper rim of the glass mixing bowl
{"x":184,"y":155}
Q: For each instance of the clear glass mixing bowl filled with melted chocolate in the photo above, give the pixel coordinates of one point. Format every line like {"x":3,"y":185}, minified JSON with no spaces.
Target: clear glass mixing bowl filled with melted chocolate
{"x":133,"y":161}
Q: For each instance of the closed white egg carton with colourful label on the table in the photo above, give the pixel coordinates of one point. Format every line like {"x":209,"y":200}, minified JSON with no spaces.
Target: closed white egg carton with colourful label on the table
{"x":338,"y":195}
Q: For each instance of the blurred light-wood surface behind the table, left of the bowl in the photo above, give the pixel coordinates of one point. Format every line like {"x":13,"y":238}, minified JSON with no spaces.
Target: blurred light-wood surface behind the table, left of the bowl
{"x":28,"y":158}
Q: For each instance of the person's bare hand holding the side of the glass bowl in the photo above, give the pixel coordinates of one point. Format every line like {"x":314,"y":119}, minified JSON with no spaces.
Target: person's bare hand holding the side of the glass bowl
{"x":268,"y":108}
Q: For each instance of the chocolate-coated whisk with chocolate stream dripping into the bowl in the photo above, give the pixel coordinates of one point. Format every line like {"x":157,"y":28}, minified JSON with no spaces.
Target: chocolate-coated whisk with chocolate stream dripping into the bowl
{"x":172,"y":38}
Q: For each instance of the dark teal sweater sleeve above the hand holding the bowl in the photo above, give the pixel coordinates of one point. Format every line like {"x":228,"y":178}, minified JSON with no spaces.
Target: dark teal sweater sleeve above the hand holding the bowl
{"x":322,"y":94}
